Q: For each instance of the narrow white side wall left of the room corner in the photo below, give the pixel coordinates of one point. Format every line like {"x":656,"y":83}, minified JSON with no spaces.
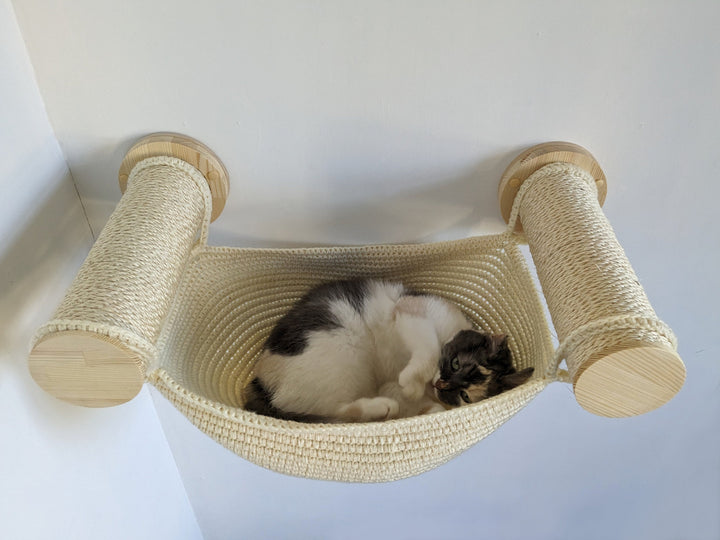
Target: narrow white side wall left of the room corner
{"x":65,"y":472}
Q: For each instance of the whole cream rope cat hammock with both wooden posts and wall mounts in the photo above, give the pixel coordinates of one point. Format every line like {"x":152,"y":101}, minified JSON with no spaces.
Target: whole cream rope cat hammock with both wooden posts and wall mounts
{"x":153,"y":302}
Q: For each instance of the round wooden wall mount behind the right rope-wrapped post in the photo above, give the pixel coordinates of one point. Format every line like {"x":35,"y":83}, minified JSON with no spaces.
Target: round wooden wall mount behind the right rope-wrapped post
{"x":537,"y":157}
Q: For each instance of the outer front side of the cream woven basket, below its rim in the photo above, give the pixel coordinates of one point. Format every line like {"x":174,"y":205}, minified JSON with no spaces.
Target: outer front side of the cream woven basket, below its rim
{"x":373,"y":452}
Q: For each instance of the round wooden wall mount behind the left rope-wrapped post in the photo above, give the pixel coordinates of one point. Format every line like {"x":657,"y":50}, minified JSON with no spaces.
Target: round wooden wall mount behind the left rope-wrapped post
{"x":189,"y":150}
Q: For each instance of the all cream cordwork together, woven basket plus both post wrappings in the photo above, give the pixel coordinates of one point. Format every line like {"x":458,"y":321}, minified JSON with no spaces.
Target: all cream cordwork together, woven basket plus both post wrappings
{"x":198,"y":316}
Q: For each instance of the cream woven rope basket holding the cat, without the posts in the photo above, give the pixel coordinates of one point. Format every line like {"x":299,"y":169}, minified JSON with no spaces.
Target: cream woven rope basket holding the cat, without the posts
{"x":231,"y":298}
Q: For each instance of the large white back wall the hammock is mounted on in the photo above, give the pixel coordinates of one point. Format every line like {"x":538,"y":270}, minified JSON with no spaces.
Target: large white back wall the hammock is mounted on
{"x":380,"y":121}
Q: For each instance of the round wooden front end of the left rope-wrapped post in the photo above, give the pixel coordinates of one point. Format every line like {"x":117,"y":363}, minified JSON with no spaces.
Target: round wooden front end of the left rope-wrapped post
{"x":86,"y":369}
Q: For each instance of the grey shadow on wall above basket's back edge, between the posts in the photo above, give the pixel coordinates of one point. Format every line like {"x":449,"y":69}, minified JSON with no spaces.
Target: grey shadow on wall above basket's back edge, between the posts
{"x":450,"y":205}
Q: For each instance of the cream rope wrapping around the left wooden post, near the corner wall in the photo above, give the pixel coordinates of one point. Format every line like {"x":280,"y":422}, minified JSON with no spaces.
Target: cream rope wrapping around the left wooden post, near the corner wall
{"x":124,"y":288}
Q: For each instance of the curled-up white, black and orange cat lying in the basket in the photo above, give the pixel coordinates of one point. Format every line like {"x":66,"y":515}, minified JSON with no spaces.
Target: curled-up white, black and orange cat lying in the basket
{"x":368,"y":350}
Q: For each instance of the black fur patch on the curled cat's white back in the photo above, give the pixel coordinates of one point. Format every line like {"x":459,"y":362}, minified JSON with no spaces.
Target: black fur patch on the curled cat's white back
{"x":312,"y":313}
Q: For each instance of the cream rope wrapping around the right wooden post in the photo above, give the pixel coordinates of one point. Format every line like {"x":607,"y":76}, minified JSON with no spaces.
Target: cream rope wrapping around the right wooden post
{"x":595,"y":298}
